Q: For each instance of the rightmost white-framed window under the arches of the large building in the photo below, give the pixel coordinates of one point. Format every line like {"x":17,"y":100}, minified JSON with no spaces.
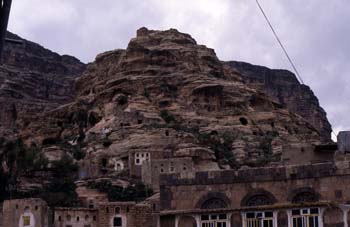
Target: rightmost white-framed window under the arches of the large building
{"x":308,"y":217}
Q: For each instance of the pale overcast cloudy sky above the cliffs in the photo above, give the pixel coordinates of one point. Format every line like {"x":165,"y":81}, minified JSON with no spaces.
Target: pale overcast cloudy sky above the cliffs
{"x":315,"y":32}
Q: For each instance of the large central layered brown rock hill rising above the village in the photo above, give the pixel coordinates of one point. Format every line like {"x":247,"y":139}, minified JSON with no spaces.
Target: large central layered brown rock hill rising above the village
{"x":170,"y":97}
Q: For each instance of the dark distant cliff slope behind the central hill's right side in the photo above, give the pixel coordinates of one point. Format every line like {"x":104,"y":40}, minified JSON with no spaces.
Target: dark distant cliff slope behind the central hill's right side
{"x":284,"y":88}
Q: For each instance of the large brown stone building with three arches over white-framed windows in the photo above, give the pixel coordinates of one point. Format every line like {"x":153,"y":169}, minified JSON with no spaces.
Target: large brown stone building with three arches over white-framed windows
{"x":287,"y":196}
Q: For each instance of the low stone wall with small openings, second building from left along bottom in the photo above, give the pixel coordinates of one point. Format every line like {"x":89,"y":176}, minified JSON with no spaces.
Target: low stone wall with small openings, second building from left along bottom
{"x":77,"y":217}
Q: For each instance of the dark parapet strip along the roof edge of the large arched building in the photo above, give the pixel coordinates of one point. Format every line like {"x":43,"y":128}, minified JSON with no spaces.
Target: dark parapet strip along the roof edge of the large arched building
{"x":279,"y":173}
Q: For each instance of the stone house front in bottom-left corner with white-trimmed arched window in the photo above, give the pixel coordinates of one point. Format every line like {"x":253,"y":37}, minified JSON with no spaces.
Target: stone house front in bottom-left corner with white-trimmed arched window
{"x":35,"y":211}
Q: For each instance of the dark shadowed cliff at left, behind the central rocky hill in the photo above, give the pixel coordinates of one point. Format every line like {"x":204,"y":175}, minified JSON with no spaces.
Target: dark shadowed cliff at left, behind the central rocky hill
{"x":32,"y":81}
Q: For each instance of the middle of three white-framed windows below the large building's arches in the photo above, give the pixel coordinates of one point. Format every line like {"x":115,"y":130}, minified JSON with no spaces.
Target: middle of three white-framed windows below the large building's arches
{"x":259,"y":219}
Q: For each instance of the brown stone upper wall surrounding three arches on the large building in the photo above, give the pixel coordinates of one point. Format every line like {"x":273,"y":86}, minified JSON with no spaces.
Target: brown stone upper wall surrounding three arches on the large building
{"x":327,"y":180}
